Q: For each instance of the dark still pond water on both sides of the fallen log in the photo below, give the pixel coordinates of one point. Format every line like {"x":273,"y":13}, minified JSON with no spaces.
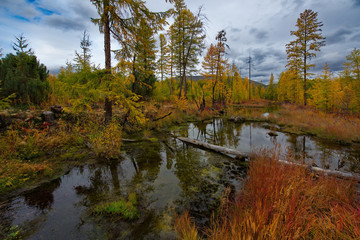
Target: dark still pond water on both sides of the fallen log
{"x":167,"y":176}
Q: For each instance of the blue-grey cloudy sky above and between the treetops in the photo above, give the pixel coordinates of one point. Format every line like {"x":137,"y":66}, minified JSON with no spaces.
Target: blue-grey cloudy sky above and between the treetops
{"x":260,"y":28}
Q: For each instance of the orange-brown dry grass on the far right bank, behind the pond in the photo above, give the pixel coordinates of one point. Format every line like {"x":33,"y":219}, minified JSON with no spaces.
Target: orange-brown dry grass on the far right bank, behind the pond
{"x":325,"y":125}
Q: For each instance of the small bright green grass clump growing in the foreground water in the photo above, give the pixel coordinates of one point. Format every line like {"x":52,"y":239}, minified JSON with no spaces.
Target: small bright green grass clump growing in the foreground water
{"x":126,"y":209}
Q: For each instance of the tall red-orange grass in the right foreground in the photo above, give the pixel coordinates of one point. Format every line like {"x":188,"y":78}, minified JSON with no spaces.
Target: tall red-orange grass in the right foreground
{"x":284,"y":202}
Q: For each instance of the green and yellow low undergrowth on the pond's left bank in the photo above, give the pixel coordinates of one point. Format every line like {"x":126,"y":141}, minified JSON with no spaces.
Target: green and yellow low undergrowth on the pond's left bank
{"x":30,"y":152}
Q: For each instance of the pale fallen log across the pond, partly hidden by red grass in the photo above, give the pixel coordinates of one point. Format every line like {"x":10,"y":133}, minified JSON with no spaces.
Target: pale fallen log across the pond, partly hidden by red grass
{"x":241,"y":155}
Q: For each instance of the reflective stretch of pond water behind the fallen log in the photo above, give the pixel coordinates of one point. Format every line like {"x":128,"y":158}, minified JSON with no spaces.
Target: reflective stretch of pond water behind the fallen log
{"x":247,"y":137}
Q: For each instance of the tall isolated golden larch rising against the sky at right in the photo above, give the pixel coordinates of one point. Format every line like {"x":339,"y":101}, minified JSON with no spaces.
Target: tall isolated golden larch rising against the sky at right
{"x":308,"y":41}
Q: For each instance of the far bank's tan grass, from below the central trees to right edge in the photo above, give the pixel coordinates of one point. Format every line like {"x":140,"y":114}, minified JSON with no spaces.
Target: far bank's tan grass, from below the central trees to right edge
{"x":304,"y":120}
